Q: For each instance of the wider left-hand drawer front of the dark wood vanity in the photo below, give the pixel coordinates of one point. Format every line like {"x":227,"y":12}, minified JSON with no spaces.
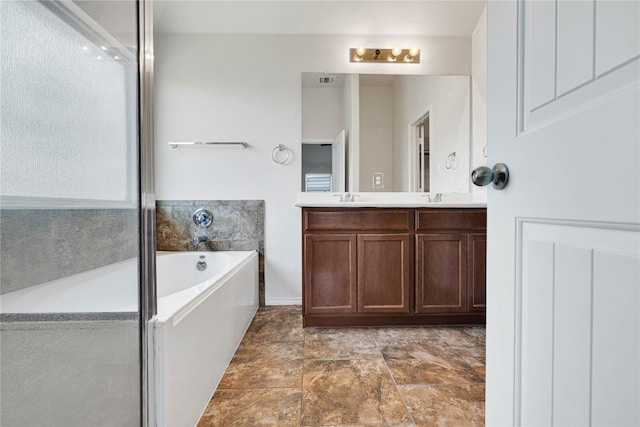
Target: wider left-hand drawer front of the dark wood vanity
{"x":373,"y":220}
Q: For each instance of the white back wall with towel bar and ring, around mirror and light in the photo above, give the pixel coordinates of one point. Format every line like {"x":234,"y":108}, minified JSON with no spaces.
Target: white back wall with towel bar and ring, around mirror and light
{"x":248,"y":87}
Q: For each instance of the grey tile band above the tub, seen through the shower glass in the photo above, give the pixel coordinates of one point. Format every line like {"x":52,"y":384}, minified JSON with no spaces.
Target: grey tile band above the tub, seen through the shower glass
{"x":41,"y":245}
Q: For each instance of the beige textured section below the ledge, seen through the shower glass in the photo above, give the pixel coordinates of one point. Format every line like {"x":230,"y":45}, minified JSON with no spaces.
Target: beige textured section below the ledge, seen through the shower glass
{"x":70,"y":373}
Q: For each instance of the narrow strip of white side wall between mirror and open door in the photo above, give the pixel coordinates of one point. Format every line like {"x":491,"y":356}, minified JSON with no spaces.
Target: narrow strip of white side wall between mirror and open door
{"x":479,"y":95}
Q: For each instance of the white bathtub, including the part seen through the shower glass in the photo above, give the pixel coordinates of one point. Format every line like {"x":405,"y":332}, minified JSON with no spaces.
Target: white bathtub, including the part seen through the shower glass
{"x":202,"y":317}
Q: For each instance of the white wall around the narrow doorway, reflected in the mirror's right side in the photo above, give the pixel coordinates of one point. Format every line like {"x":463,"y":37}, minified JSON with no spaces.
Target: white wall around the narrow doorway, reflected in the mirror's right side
{"x":446,"y":99}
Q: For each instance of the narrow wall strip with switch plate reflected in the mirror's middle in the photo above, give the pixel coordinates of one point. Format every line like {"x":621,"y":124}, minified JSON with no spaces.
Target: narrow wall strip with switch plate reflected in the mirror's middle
{"x":376,"y":121}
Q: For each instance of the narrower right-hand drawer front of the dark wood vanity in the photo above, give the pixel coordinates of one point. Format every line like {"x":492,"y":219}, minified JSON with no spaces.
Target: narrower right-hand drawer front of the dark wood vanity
{"x":451,"y":219}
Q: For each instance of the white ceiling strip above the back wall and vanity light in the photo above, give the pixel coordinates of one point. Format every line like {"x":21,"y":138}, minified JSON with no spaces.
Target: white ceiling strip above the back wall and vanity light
{"x":322,"y":17}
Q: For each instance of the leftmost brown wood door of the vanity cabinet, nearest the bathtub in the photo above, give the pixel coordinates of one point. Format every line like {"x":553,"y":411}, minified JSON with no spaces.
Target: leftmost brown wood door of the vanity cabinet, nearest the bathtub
{"x":329,"y":271}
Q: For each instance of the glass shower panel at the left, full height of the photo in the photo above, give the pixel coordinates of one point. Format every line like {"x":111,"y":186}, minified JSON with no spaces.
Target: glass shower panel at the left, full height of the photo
{"x":69,"y":214}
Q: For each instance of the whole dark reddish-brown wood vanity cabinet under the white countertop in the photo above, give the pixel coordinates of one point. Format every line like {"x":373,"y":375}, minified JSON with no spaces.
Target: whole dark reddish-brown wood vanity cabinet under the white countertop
{"x":381,"y":266}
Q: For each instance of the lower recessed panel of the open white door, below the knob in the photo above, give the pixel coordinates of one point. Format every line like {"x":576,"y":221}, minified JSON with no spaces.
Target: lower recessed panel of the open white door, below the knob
{"x":572,"y":296}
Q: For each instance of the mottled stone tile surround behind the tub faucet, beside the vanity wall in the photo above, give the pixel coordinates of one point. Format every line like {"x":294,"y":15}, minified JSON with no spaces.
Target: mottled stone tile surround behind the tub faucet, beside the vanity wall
{"x":238,"y":225}
